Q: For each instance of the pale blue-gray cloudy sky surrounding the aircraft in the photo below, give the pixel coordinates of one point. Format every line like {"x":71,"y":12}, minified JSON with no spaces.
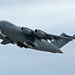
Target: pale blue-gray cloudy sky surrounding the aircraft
{"x":51,"y":16}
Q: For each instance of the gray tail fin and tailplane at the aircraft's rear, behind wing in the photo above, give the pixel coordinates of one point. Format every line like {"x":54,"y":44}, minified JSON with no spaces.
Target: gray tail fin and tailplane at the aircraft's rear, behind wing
{"x":61,"y":42}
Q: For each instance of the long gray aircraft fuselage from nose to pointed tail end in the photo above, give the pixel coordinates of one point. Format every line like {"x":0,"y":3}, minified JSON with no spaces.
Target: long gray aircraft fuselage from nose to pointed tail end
{"x":15,"y":34}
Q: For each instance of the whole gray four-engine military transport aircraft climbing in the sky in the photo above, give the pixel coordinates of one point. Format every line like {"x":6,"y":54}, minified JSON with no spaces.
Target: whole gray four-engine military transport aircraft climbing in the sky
{"x":34,"y":39}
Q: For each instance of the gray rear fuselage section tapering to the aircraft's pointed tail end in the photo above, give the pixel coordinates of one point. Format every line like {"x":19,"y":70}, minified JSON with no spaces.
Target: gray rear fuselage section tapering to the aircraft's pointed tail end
{"x":46,"y":46}
